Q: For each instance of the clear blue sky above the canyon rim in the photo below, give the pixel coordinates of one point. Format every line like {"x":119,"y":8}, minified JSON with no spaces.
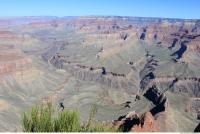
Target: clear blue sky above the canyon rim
{"x":186,"y":9}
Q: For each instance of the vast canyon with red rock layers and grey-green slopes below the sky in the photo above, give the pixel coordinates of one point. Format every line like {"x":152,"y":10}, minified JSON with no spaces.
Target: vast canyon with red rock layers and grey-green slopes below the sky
{"x":147,"y":66}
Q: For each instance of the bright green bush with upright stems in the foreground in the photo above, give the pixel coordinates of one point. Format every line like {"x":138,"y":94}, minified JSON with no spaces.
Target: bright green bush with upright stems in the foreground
{"x":43,"y":118}
